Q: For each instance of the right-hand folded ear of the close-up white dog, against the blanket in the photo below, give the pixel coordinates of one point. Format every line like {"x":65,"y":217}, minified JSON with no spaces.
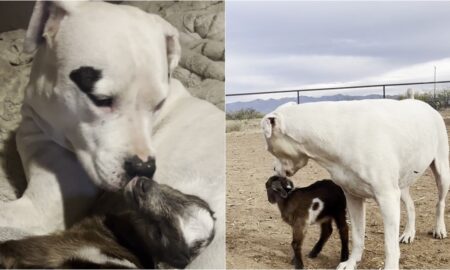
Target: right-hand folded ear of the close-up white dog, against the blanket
{"x":172,"y":42}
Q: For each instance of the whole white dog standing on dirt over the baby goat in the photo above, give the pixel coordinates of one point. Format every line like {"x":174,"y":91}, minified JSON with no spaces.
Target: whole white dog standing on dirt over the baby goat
{"x":372,"y":149}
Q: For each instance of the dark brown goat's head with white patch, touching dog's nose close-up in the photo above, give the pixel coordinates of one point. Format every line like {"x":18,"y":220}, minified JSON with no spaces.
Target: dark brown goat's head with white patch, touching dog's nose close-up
{"x":176,"y":226}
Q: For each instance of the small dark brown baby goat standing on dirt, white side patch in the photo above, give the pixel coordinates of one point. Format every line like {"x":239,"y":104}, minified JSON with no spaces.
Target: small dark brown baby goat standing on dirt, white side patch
{"x":320,"y":203}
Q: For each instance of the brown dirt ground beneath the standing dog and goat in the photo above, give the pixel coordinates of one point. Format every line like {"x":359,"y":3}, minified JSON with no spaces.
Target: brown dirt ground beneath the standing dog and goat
{"x":258,"y":238}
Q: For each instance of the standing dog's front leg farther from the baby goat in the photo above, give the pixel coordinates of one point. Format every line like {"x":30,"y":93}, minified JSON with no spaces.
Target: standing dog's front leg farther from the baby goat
{"x":389,"y":203}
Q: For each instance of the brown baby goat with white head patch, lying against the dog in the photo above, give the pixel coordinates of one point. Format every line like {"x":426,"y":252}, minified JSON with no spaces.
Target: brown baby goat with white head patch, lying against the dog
{"x":160,"y":227}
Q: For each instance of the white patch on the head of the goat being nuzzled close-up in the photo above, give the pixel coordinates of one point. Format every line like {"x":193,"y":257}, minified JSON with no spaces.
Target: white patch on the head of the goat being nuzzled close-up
{"x":197,"y":225}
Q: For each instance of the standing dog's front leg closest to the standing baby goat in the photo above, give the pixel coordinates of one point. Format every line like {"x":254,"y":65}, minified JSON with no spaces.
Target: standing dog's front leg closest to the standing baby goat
{"x":357,"y":211}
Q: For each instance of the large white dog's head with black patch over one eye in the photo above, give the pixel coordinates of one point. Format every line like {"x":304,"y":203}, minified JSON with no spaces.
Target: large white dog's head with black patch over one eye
{"x":103,"y":72}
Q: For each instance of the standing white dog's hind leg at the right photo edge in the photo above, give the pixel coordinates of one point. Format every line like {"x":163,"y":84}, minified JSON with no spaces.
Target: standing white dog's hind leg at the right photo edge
{"x":441,"y":171}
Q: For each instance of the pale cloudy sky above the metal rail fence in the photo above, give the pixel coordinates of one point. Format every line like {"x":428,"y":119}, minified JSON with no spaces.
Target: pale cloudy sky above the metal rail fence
{"x":288,"y":45}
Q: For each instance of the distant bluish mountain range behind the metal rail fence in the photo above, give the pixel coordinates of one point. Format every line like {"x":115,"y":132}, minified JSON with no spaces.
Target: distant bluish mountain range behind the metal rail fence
{"x":268,"y":105}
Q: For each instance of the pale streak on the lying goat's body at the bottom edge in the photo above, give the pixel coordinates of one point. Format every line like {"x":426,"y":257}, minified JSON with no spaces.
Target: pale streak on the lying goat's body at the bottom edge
{"x":94,"y":255}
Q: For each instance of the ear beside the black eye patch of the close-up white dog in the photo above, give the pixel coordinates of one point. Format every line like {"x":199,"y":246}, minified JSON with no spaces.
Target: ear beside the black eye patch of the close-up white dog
{"x":45,"y":20}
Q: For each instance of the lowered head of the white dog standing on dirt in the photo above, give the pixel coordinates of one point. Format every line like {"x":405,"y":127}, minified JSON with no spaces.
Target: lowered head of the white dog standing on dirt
{"x":289,"y":153}
